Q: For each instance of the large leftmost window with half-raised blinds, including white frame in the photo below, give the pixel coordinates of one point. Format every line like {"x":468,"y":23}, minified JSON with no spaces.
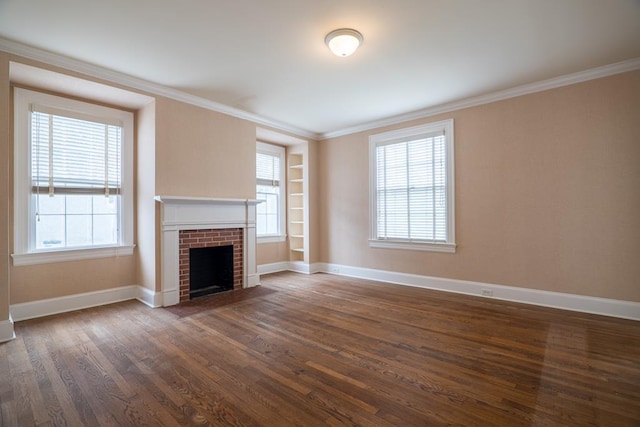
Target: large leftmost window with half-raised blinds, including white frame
{"x":73,"y":177}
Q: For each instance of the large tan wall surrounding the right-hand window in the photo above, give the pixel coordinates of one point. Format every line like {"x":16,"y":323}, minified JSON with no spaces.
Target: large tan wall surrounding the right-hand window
{"x":547,"y":194}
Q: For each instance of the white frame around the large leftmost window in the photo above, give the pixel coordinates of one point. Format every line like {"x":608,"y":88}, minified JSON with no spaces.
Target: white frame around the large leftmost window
{"x":24,"y":253}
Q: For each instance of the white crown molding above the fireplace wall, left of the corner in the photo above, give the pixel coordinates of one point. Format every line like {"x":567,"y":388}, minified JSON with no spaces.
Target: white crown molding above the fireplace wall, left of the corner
{"x":29,"y":52}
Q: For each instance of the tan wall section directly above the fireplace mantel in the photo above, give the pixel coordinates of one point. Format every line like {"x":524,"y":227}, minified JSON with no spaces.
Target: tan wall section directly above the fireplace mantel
{"x":203,"y":153}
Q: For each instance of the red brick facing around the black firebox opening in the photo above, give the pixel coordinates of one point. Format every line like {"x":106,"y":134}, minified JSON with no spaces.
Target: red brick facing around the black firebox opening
{"x":205,"y":239}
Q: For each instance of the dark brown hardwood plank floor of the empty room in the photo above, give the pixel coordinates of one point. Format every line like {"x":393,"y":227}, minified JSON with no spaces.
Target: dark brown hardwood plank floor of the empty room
{"x":323,"y":350}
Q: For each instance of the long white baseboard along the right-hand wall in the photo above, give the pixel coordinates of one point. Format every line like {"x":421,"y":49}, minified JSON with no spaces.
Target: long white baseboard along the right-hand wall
{"x":580,"y":303}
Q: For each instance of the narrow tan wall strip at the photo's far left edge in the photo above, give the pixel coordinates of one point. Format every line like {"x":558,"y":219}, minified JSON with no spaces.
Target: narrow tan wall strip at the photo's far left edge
{"x":4,"y":185}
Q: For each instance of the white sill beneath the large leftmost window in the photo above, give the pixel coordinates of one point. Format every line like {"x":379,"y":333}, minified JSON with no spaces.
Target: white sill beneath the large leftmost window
{"x":66,"y":255}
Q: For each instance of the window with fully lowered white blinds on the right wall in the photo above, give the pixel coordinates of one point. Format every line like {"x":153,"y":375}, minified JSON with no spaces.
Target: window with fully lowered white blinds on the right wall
{"x":412,"y":188}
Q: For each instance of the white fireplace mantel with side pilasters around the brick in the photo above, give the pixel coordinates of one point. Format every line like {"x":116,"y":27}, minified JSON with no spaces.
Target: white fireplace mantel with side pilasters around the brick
{"x":194,"y":213}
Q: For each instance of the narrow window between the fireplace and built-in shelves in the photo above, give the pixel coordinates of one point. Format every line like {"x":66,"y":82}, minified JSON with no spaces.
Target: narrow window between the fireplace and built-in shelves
{"x":270,"y":188}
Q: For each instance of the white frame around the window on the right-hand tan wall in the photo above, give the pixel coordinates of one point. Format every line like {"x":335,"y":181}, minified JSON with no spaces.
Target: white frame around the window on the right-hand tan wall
{"x":407,"y":134}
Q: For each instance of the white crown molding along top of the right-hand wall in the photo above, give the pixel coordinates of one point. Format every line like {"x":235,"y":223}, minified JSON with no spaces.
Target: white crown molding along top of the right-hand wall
{"x":556,"y":82}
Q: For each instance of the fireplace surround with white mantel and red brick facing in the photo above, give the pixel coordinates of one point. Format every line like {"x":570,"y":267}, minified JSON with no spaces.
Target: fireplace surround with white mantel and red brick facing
{"x":201,"y":222}
